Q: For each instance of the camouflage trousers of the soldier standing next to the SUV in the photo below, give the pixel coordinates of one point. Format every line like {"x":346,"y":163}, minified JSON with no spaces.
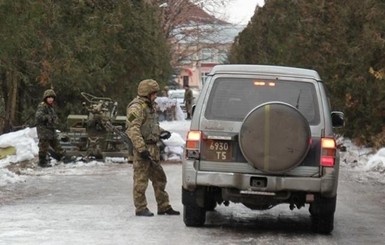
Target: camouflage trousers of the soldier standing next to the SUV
{"x":143,"y":172}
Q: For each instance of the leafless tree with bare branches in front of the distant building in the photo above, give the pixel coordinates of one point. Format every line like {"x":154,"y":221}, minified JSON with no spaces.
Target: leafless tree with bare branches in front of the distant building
{"x":190,"y":27}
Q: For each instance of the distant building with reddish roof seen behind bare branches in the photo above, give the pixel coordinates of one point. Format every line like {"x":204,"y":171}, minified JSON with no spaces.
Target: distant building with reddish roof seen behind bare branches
{"x":198,"y":40}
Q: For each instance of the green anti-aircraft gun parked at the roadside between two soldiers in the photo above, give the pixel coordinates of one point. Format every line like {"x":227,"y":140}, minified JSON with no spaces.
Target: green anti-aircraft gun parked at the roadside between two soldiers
{"x":97,"y":133}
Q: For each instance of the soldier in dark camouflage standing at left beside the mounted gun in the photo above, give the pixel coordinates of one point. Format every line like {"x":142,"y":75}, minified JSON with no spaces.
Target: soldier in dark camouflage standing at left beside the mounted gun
{"x":46,"y":121}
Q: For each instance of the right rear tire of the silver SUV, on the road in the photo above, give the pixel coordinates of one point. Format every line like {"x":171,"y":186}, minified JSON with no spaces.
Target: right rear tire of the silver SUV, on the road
{"x":322,"y":214}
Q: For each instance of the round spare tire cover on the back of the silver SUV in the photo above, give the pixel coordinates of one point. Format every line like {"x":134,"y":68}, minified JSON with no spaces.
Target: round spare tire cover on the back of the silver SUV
{"x":274,"y":137}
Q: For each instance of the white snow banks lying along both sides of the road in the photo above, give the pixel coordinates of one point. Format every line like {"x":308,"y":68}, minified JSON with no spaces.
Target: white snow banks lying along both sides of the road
{"x":363,"y":162}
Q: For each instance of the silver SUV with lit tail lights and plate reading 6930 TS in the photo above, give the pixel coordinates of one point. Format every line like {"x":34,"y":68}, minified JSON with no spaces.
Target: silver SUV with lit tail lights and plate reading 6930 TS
{"x":262,"y":136}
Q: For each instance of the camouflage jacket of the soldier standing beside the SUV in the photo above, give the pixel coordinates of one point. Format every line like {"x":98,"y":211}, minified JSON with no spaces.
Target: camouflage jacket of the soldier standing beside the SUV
{"x":143,"y":126}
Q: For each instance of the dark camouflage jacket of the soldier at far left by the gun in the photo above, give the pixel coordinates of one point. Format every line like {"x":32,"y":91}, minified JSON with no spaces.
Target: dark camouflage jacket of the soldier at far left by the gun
{"x":46,"y":121}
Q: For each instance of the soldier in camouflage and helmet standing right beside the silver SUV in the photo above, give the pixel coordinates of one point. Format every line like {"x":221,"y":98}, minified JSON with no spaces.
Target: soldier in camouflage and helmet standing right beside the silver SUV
{"x":144,"y":131}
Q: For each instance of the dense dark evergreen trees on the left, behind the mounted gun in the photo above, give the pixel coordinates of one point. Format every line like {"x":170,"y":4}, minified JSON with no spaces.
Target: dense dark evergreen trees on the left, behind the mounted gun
{"x":101,"y":47}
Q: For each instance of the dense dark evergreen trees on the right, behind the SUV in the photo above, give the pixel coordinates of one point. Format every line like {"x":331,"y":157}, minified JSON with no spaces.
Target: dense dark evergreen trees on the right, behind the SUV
{"x":342,"y":40}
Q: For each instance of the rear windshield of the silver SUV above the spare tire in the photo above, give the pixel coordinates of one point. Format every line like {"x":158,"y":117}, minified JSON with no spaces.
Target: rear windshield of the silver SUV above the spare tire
{"x":231,"y":99}
